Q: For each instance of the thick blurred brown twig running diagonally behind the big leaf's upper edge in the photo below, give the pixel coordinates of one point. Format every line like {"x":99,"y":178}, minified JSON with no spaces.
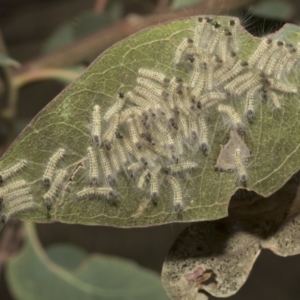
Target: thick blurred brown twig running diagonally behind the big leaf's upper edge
{"x":104,"y":38}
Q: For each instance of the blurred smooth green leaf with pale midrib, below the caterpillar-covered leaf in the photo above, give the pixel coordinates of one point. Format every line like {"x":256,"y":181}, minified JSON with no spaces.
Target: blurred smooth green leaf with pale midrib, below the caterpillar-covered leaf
{"x":32,"y":275}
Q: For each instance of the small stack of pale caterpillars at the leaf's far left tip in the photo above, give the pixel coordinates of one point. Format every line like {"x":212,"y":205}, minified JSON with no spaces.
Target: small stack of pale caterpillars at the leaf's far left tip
{"x":15,"y":195}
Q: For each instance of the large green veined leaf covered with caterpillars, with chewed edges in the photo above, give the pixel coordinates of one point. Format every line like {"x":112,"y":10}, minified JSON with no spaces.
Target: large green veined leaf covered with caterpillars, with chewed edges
{"x":225,"y":125}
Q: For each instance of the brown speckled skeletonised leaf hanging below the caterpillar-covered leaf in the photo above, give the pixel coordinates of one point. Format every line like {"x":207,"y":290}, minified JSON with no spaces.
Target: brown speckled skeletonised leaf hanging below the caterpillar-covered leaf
{"x":218,"y":256}
